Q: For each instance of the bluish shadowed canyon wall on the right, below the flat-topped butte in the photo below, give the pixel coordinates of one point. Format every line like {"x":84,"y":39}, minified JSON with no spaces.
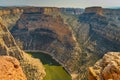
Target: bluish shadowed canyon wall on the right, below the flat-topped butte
{"x":97,"y":34}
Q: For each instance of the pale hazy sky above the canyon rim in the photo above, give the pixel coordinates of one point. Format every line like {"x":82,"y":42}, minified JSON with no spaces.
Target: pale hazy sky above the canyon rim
{"x":62,"y":3}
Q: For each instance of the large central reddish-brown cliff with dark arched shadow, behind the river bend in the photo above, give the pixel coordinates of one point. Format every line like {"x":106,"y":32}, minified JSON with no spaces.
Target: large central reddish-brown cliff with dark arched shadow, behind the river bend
{"x":47,"y":32}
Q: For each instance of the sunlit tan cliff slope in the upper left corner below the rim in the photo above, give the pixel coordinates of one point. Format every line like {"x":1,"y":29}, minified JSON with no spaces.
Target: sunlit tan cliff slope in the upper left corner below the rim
{"x":9,"y":16}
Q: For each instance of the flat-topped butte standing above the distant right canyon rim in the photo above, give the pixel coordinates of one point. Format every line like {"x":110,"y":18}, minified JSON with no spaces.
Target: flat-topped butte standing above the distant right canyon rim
{"x":97,"y":10}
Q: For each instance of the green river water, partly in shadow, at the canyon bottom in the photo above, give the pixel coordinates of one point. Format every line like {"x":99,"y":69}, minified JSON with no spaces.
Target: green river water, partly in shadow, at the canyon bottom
{"x":54,"y":71}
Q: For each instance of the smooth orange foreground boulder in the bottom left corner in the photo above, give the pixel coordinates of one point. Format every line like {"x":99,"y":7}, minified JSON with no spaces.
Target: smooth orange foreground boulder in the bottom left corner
{"x":10,"y":69}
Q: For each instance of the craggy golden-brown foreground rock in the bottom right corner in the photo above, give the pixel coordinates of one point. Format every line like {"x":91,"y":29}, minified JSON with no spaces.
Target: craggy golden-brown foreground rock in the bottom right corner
{"x":107,"y":68}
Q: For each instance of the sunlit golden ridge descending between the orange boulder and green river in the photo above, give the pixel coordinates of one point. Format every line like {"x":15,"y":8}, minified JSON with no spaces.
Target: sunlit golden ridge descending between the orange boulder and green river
{"x":9,"y":47}
